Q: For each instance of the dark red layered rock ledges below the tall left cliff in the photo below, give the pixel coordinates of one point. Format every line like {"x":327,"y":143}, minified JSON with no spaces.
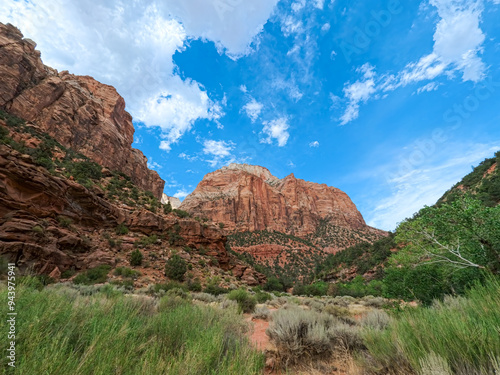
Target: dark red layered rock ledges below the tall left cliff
{"x":32,"y":201}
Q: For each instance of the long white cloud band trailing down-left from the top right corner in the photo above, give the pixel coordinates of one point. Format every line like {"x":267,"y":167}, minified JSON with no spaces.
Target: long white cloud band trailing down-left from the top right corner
{"x":458,"y":43}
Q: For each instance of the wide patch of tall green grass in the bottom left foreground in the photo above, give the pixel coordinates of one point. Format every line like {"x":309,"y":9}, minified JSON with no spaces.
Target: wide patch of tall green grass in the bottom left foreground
{"x":60,"y":332}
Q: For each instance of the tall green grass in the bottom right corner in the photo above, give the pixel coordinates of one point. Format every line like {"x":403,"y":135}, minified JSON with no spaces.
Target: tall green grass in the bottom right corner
{"x":461,"y":335}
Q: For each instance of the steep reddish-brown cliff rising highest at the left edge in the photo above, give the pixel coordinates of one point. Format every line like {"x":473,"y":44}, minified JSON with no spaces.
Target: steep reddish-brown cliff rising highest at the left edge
{"x":78,"y":111}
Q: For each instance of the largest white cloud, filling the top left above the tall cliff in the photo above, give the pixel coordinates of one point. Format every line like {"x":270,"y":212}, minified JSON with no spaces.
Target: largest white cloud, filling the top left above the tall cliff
{"x":131,"y":47}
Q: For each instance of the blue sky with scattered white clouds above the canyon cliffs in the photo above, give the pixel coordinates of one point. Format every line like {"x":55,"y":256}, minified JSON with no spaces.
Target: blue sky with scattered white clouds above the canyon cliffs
{"x":391,"y":102}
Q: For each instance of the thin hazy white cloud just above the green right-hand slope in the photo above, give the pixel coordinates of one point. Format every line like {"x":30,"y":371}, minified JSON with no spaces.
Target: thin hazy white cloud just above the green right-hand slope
{"x":425,"y":183}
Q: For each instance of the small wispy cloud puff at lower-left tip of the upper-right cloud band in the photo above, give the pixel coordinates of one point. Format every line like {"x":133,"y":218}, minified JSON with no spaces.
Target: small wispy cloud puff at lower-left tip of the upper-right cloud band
{"x":358,"y":92}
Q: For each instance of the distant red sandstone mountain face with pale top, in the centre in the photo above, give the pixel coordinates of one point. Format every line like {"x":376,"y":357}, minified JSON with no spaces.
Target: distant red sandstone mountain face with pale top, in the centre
{"x":249,"y":198}
